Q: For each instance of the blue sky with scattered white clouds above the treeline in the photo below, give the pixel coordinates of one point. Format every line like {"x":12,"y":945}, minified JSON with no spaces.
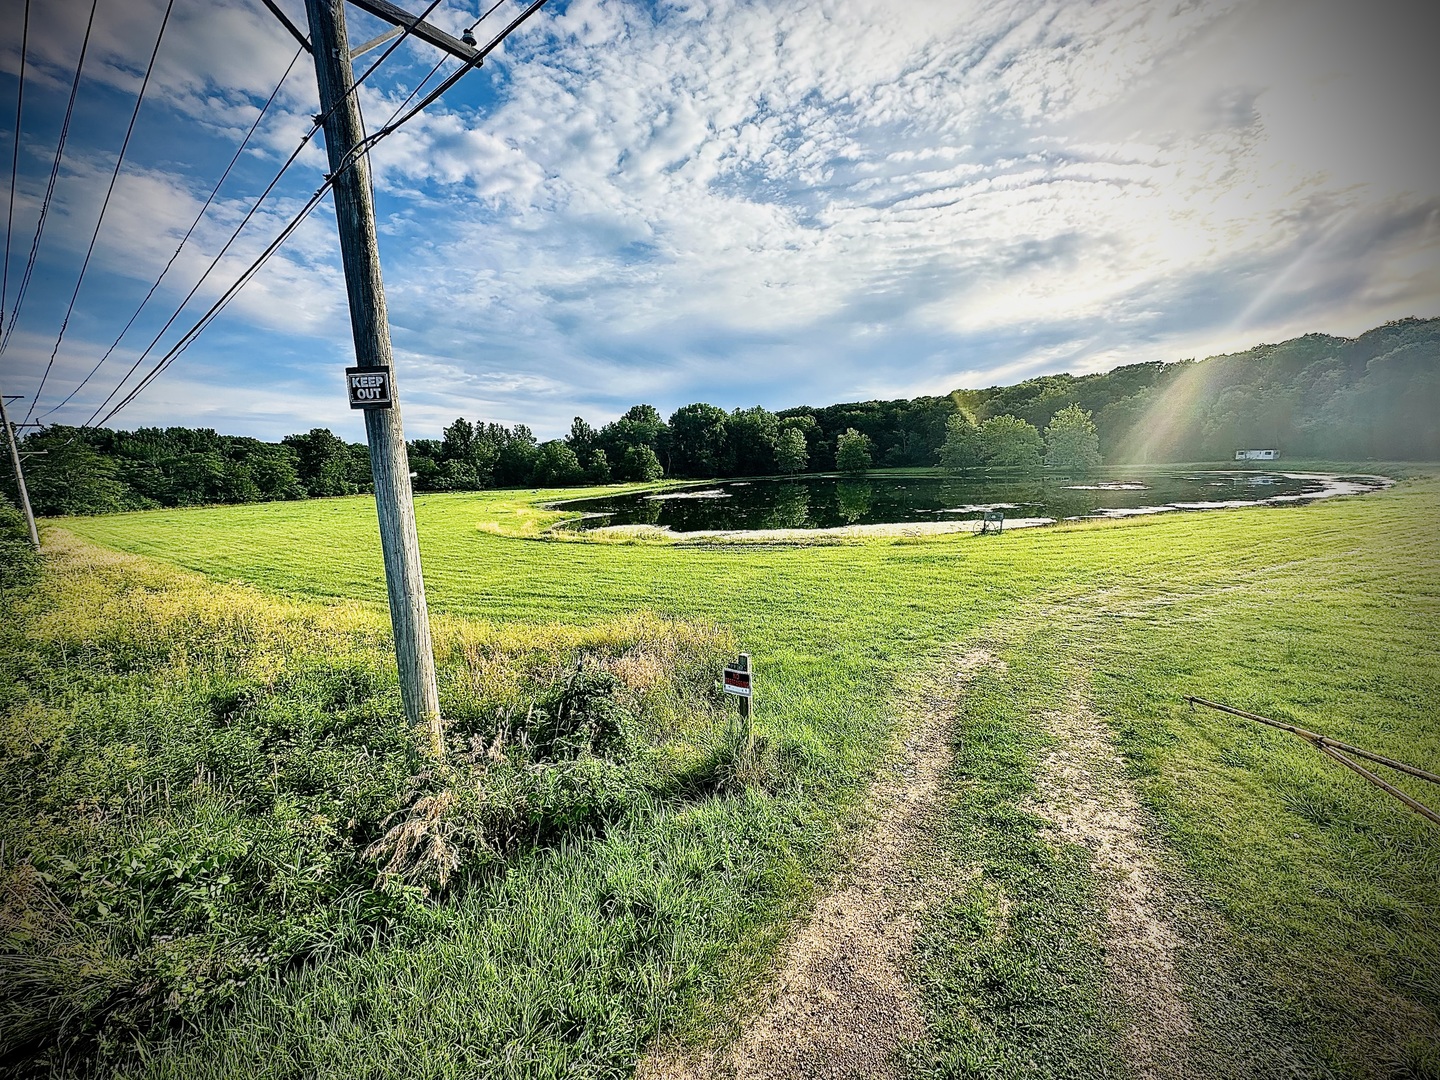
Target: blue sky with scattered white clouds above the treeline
{"x":773,"y":204}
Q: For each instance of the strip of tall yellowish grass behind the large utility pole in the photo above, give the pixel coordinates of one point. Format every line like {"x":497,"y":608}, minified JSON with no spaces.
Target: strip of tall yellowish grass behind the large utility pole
{"x":96,"y":601}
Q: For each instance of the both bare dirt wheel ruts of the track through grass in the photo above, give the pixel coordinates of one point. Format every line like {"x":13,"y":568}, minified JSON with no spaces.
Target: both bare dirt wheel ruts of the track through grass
{"x":842,"y":1006}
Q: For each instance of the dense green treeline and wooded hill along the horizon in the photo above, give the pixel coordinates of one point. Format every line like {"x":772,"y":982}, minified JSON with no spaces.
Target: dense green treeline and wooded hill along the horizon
{"x":1317,"y":397}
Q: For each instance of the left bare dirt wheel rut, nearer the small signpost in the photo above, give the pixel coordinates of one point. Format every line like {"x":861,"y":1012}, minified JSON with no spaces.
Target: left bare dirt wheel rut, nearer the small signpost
{"x":842,"y":1006}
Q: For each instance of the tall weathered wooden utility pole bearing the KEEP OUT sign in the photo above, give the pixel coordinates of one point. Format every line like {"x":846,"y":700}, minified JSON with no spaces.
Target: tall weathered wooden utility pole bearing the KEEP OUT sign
{"x":390,"y":464}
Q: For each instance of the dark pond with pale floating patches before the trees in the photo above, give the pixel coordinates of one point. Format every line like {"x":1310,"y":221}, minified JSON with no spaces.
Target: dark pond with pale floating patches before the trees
{"x":945,"y":503}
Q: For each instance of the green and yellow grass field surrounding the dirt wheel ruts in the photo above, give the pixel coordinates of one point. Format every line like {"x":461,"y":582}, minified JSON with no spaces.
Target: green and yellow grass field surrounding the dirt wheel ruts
{"x":1304,"y":899}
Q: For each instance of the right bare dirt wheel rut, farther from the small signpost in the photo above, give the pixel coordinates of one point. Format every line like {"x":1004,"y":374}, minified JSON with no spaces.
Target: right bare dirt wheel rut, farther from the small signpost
{"x":1084,"y":793}
